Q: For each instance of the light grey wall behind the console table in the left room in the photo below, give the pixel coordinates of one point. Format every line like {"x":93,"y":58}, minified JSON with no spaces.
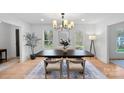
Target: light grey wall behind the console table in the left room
{"x":7,"y":39}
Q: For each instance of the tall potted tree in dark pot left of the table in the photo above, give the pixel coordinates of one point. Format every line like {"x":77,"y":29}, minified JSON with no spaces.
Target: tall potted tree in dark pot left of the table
{"x":31,"y":41}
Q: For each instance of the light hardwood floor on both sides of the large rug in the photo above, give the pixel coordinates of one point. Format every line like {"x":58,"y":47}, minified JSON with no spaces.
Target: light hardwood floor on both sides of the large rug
{"x":19,"y":70}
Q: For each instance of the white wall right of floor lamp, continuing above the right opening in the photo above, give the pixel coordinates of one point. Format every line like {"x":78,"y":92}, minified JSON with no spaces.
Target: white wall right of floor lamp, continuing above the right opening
{"x":102,"y":43}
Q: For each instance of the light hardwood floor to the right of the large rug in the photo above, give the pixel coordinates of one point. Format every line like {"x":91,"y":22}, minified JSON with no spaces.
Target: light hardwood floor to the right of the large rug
{"x":112,"y":71}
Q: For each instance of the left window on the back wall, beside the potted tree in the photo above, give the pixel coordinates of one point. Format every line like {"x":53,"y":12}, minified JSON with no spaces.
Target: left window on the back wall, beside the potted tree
{"x":48,"y":38}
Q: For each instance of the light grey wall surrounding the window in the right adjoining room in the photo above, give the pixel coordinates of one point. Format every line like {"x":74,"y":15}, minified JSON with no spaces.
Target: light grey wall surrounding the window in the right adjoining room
{"x":113,"y":32}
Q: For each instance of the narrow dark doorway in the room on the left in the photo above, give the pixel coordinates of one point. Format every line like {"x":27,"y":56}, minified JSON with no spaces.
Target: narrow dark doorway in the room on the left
{"x":17,"y":42}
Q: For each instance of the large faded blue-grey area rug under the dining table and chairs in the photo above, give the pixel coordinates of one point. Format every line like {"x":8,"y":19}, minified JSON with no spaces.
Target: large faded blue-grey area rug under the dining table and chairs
{"x":91,"y":72}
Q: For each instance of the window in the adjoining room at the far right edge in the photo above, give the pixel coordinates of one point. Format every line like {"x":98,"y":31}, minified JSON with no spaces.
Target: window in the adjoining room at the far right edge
{"x":120,"y":41}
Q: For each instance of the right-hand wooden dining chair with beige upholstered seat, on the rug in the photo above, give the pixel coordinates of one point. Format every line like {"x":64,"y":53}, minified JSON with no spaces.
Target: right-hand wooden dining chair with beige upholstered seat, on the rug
{"x":75,"y":64}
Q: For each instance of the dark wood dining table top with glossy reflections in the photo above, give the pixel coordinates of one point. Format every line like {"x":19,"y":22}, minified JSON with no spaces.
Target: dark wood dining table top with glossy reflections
{"x":68,"y":53}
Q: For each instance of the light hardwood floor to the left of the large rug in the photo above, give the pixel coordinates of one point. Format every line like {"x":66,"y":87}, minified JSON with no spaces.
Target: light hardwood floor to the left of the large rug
{"x":18,"y":70}
